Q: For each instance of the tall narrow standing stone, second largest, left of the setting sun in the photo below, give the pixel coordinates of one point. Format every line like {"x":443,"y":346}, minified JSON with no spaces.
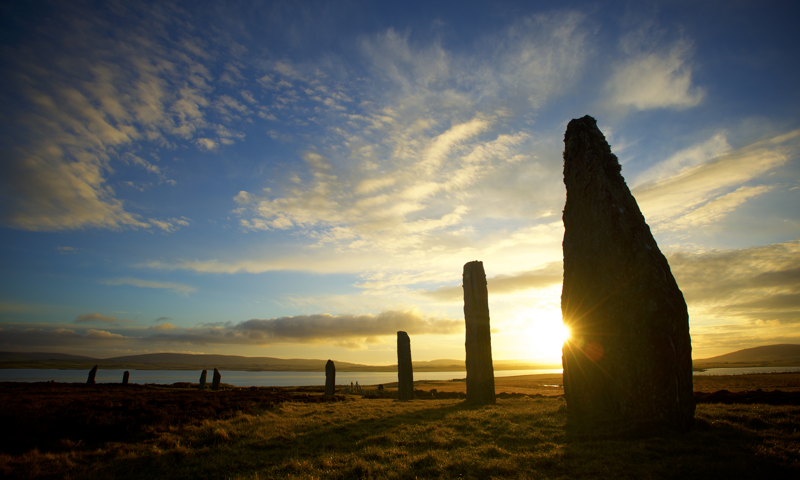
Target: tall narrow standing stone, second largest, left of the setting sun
{"x":480,"y":371}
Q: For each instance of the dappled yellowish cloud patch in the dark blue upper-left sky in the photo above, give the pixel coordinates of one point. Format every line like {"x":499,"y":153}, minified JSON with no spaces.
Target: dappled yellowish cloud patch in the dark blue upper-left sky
{"x":86,"y":104}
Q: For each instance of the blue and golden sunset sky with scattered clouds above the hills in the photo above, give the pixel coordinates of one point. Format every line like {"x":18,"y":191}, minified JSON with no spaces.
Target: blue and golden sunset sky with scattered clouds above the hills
{"x":304,"y":179}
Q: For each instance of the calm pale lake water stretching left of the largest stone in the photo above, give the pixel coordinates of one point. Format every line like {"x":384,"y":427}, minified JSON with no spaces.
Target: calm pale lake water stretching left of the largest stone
{"x":234,"y":377}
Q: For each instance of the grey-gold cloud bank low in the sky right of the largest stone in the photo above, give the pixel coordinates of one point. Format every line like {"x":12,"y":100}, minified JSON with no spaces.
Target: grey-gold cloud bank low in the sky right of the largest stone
{"x":754,"y":284}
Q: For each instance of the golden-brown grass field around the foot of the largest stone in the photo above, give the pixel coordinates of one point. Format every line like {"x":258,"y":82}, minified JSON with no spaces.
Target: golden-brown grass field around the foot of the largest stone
{"x":522,"y":437}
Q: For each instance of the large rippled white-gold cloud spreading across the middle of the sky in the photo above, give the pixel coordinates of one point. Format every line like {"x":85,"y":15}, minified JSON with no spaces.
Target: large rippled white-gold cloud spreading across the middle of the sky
{"x":425,"y":113}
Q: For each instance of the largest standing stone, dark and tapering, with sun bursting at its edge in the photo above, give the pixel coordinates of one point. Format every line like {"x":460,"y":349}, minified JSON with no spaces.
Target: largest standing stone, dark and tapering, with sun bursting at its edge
{"x":629,"y":357}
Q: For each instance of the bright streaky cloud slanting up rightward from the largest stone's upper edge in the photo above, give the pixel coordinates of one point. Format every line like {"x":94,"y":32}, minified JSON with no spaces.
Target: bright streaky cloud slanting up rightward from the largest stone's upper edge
{"x":705,"y":193}
